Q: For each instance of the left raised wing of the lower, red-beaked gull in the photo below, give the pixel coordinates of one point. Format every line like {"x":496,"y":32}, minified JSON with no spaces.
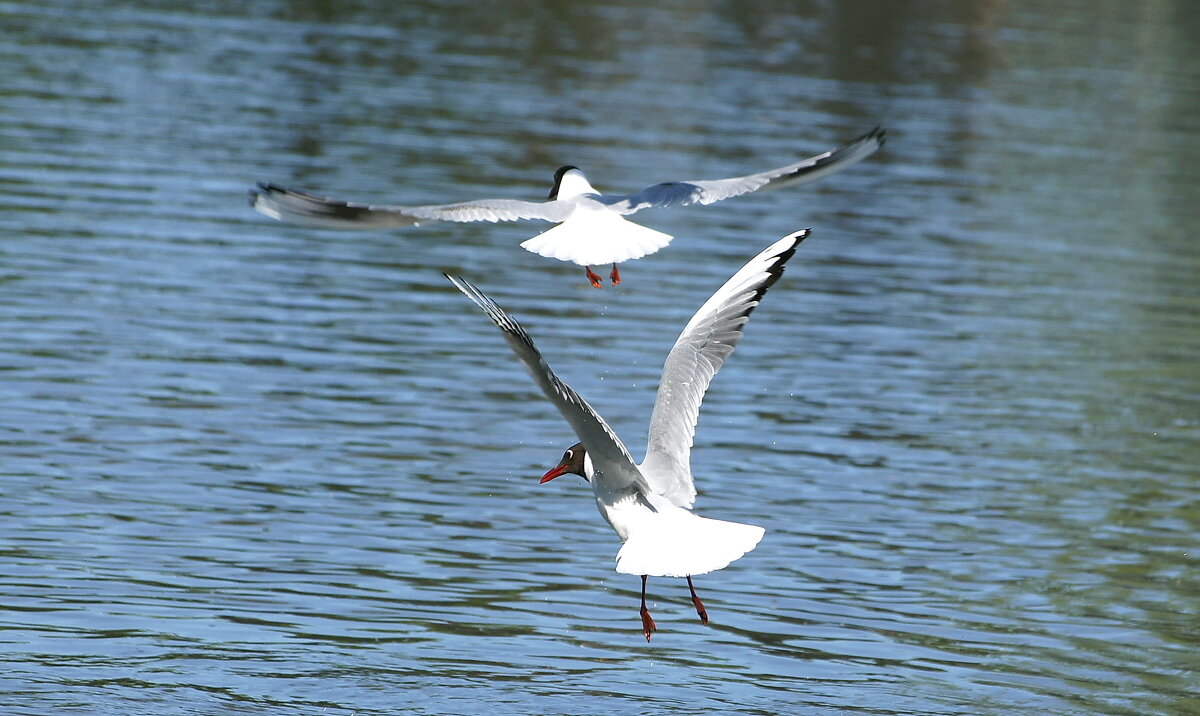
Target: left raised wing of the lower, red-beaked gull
{"x":603,"y":444}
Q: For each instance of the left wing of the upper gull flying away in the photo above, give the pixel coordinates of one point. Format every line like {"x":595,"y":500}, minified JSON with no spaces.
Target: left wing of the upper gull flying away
{"x":302,"y":208}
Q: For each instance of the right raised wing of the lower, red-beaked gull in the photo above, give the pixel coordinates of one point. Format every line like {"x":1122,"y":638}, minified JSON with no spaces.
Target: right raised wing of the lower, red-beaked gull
{"x":698,"y":356}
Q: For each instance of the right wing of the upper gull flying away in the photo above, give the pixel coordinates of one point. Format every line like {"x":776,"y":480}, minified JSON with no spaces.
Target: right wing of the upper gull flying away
{"x":681,"y":194}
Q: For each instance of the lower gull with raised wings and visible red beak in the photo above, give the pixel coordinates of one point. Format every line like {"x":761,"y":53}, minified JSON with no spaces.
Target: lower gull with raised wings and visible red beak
{"x":650,"y":506}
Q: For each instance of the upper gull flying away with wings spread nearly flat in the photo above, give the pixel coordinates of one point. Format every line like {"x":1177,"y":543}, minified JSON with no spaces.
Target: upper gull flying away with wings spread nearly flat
{"x":592,"y":227}
